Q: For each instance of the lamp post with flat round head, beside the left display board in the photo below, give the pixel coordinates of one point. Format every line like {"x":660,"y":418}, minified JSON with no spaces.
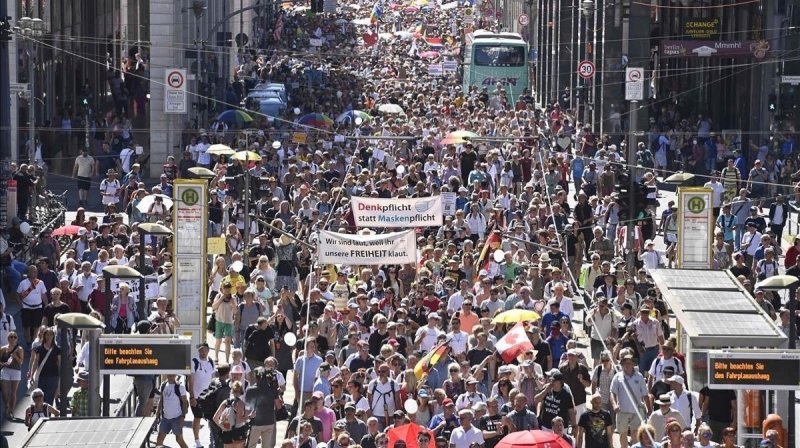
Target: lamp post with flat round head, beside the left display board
{"x":91,"y":330}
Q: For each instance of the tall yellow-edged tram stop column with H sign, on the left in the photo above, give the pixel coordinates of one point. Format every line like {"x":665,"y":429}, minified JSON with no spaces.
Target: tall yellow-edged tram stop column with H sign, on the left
{"x":190,"y":218}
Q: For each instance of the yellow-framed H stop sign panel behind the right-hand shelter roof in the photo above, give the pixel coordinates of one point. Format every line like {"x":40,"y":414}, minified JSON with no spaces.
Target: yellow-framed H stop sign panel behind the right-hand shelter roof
{"x":695,"y":228}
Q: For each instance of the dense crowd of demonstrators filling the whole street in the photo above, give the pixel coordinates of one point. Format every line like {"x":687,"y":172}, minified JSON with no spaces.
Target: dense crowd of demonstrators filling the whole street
{"x":548,"y":207}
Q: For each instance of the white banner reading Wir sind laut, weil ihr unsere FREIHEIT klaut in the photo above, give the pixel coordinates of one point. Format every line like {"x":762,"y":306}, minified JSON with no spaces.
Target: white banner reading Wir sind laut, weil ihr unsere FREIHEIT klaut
{"x":367,"y":250}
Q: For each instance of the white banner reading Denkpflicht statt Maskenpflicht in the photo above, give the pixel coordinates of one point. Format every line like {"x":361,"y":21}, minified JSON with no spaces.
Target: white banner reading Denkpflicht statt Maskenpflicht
{"x":397,"y":213}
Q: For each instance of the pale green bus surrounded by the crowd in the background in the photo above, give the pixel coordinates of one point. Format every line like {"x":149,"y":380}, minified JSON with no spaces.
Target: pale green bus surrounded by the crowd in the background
{"x":493,"y":58}
